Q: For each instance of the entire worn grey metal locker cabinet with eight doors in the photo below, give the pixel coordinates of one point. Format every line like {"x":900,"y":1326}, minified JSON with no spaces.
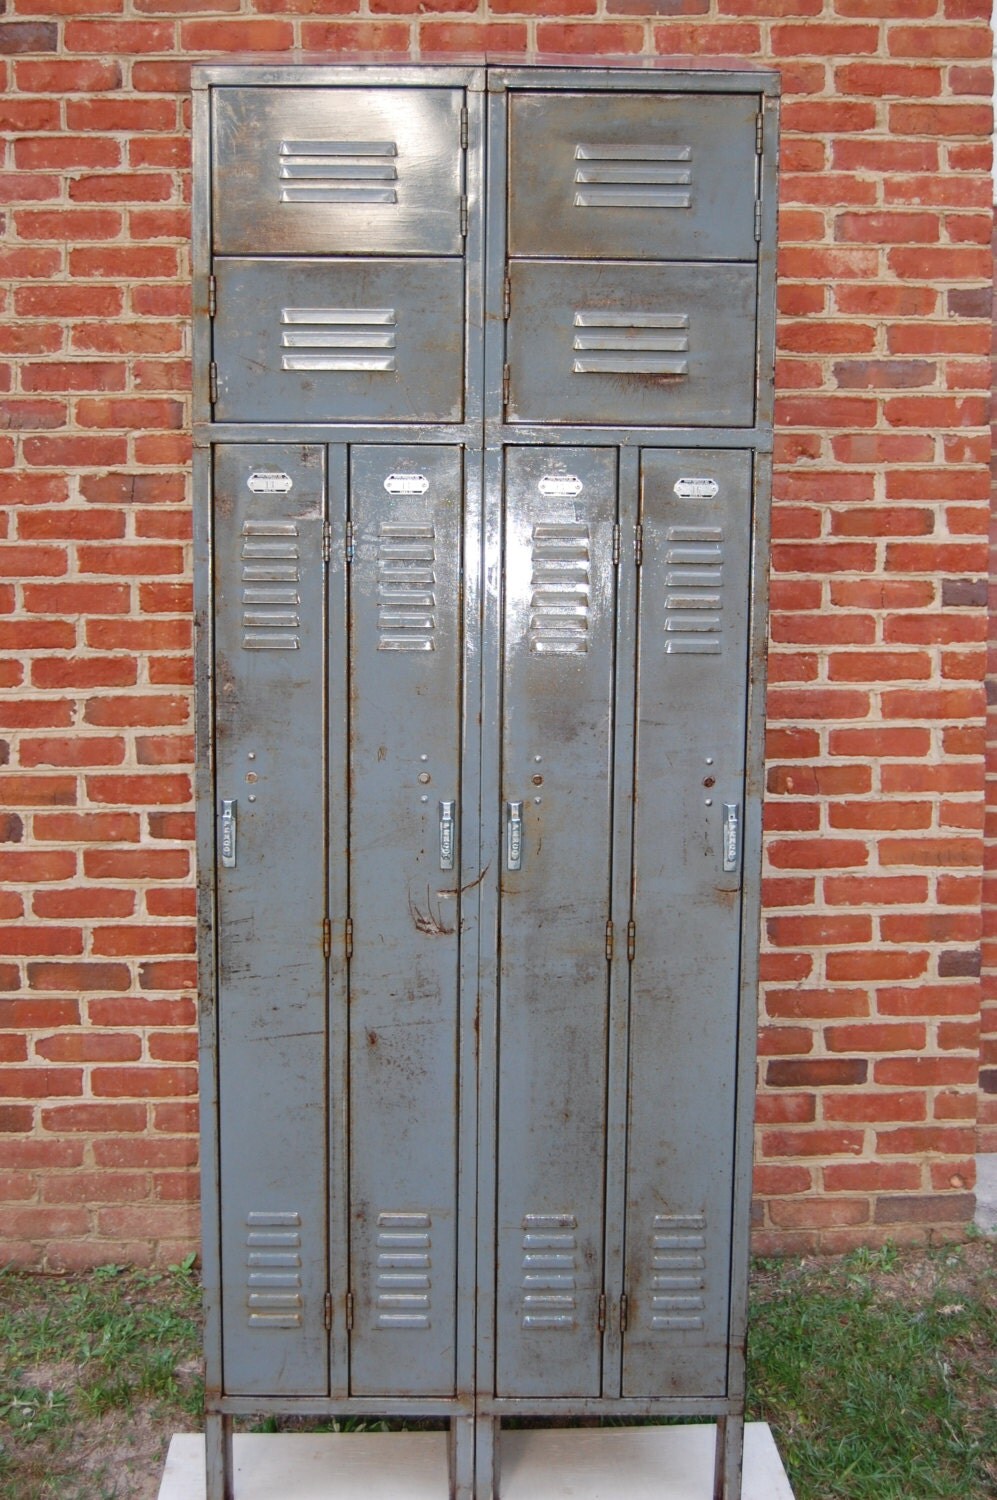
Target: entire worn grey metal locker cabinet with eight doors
{"x":482,"y":452}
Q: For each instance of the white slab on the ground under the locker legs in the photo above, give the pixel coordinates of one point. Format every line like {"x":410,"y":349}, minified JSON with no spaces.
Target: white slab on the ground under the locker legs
{"x":645,"y":1463}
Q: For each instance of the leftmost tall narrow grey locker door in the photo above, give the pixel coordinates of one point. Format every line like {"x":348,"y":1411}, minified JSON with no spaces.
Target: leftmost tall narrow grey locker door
{"x":269,"y":668}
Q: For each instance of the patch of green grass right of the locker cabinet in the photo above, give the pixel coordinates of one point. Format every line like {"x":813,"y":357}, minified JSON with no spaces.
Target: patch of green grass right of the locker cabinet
{"x":879,"y":1372}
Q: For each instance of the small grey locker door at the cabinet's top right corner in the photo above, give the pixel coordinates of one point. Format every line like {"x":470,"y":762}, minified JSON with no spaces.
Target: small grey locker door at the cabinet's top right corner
{"x":635,"y":176}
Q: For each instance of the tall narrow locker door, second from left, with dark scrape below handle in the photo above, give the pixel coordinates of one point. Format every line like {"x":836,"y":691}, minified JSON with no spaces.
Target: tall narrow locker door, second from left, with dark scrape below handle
{"x":406,"y":674}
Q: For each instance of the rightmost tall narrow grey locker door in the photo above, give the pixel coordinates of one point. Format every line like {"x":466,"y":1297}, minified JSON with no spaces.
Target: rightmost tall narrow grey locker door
{"x":692,"y":691}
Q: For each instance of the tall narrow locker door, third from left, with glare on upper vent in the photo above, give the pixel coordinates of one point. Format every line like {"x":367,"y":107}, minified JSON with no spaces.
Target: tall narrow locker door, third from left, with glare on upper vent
{"x":558,"y":632}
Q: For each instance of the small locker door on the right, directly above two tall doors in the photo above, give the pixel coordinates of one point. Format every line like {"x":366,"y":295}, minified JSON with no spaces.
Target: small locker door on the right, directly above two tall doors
{"x":621,"y":343}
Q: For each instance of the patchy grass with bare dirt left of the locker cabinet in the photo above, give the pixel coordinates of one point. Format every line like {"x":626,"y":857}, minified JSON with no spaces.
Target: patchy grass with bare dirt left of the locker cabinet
{"x":97,"y":1372}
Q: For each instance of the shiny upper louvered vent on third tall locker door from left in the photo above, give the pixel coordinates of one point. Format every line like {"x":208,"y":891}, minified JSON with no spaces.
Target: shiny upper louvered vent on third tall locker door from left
{"x":560,"y":602}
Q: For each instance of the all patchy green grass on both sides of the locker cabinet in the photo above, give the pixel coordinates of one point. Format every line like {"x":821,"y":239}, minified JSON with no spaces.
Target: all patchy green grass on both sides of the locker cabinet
{"x":876,"y":1370}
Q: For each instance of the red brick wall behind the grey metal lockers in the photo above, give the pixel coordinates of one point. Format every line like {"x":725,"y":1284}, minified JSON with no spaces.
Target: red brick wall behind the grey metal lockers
{"x":872,"y":1001}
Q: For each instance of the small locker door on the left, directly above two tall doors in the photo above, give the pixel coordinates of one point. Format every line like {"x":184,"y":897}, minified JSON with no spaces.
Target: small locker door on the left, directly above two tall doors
{"x":335,"y":340}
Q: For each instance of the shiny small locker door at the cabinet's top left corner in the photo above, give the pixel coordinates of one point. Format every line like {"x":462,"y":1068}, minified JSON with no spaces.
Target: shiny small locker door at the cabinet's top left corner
{"x":338,"y":172}
